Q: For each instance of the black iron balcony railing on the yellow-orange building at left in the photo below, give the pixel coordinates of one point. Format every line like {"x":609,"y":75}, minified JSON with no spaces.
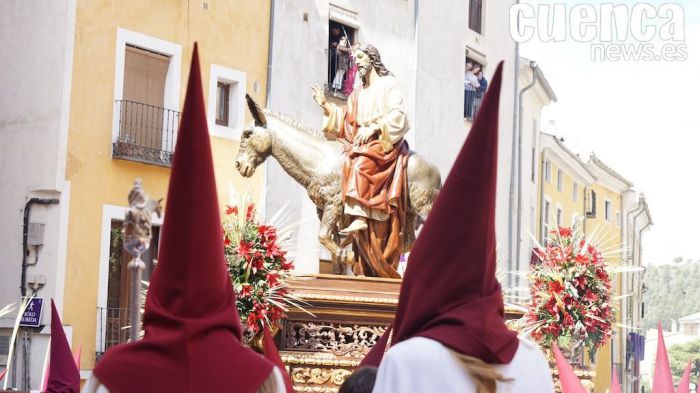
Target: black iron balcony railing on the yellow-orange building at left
{"x":146,"y":133}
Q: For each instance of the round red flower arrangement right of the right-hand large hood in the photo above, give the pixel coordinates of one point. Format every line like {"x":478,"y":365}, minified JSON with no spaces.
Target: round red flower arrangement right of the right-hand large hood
{"x":570,"y":293}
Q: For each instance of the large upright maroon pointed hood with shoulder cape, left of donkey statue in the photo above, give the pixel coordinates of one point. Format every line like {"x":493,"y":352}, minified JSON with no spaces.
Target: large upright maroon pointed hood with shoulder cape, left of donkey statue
{"x":192,"y":339}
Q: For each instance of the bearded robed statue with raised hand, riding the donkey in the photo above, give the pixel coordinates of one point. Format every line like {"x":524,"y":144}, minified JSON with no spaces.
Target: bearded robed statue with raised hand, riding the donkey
{"x":372,"y":127}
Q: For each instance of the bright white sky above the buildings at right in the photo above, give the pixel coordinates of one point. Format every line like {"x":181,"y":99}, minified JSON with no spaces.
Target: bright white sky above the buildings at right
{"x":639,"y":117}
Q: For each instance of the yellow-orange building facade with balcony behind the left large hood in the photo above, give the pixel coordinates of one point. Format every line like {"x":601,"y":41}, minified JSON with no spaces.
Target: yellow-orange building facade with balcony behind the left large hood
{"x":130,"y":68}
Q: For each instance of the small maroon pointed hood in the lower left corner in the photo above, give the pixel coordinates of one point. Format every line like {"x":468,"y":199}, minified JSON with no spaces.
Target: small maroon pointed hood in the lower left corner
{"x":64,"y":376}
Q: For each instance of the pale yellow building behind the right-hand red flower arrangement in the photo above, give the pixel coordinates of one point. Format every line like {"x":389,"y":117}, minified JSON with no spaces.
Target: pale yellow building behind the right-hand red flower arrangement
{"x":571,"y":189}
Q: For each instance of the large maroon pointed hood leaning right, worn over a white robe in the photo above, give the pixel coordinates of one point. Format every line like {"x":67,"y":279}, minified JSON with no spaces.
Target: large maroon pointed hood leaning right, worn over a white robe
{"x":450,"y":293}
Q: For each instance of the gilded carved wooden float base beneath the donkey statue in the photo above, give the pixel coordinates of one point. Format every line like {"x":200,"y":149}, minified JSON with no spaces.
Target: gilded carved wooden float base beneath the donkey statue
{"x":350,"y":315}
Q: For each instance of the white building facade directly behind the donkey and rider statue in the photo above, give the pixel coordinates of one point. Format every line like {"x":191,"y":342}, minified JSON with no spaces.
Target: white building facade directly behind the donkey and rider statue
{"x":425,"y":47}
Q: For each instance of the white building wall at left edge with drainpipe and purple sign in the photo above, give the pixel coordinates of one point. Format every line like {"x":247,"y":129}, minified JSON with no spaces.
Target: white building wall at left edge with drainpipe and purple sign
{"x":34,"y":109}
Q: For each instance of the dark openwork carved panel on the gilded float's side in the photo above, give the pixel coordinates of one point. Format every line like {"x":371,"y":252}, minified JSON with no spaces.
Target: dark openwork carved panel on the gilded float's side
{"x":351,"y":340}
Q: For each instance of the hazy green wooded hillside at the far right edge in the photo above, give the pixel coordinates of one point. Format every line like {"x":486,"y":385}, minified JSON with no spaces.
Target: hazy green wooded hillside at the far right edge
{"x":672,"y":293}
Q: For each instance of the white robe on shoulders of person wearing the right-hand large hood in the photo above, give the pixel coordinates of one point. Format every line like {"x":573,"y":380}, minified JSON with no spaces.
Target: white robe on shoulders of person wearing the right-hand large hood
{"x":422,"y":365}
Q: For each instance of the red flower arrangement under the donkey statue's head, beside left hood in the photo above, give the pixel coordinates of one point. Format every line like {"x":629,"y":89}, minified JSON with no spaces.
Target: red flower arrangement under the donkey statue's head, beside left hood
{"x":258,"y":269}
